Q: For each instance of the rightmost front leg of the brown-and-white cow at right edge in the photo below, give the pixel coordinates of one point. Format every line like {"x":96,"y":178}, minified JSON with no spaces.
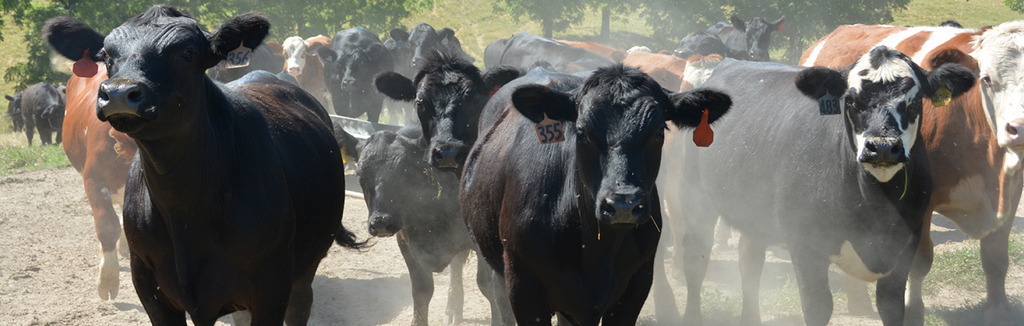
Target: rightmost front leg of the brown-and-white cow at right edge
{"x":995,"y":262}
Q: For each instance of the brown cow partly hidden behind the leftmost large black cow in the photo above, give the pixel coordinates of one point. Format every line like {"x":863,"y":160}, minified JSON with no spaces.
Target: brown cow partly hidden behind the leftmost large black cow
{"x":102,"y":155}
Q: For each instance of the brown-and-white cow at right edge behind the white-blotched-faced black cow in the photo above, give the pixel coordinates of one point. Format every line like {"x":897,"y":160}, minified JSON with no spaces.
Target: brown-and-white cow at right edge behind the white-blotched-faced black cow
{"x":973,"y":143}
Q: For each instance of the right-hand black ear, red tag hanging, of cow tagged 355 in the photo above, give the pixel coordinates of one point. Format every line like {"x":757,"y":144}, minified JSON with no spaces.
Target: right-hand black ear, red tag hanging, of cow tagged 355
{"x":689,"y":107}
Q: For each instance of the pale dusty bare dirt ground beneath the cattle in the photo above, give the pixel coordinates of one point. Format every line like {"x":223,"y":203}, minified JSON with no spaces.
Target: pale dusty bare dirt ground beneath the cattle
{"x":50,"y":256}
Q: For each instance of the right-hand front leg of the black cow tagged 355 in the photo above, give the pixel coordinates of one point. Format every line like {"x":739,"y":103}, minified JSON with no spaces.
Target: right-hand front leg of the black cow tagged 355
{"x":628,"y":309}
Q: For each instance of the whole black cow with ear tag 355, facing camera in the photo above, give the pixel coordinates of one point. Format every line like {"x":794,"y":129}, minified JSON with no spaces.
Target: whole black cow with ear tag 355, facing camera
{"x":574,"y":226}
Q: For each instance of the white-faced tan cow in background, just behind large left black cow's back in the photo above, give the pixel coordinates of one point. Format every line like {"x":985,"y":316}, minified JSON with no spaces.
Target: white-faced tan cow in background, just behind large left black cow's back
{"x":304,"y":63}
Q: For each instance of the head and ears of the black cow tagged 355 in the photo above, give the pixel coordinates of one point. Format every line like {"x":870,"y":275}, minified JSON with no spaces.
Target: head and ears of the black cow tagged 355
{"x":619,"y":123}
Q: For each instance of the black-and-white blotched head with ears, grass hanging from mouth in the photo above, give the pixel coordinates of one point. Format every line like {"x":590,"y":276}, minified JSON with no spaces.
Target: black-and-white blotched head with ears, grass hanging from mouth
{"x":882,"y":103}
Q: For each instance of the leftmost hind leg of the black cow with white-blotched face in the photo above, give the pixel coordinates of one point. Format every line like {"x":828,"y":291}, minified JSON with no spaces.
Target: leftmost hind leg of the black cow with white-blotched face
{"x":697,"y":247}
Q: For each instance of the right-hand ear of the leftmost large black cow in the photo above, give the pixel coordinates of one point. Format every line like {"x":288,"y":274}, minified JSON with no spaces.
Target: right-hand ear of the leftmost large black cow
{"x":245,"y":30}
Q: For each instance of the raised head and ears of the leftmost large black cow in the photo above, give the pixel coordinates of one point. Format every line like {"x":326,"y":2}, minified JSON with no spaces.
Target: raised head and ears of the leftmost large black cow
{"x":156,"y":64}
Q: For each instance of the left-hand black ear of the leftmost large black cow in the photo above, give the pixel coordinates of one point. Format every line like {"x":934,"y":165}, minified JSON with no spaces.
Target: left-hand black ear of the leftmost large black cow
{"x":72,"y":38}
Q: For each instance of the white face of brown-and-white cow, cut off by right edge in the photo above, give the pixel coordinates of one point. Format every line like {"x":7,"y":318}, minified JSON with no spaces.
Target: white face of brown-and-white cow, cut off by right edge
{"x":1002,"y":73}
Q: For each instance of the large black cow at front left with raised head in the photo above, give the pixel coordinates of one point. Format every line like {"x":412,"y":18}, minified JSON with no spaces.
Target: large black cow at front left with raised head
{"x":237,"y":192}
